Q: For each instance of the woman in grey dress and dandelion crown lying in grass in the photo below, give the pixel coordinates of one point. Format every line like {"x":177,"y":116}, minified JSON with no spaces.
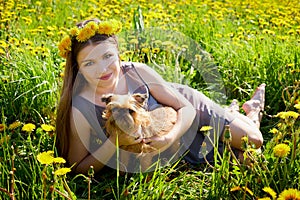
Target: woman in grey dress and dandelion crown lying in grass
{"x":93,"y":68}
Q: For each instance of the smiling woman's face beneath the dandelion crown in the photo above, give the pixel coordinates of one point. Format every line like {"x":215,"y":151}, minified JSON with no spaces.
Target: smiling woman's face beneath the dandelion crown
{"x":100,"y":65}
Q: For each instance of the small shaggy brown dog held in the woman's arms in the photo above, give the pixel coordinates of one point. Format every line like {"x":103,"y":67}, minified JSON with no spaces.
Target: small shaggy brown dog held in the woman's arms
{"x":125,"y":115}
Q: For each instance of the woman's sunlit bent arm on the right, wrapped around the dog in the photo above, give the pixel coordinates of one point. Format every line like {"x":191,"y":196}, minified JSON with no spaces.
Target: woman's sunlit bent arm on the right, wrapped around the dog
{"x":168,"y":96}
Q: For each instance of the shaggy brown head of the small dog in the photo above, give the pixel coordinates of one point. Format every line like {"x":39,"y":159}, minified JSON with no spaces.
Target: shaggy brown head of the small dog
{"x":125,"y":112}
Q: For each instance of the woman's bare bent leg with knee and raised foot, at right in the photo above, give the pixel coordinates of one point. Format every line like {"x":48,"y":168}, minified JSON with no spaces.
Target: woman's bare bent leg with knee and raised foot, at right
{"x":248,"y":125}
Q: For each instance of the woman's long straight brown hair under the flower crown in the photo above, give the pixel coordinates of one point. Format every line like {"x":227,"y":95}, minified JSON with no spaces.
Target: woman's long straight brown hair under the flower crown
{"x":72,"y":84}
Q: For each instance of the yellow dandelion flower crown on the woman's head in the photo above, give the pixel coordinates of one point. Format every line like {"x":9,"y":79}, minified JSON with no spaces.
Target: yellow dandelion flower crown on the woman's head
{"x":85,"y":32}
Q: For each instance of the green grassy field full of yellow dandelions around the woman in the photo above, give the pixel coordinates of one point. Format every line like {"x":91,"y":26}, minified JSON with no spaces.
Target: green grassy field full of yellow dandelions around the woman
{"x":223,"y":48}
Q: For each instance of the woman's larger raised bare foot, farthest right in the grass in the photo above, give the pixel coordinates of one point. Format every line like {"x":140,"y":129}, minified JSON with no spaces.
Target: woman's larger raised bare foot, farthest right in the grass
{"x":255,"y":105}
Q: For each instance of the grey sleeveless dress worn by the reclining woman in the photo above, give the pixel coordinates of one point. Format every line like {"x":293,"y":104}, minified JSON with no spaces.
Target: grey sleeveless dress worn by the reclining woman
{"x":208,"y":112}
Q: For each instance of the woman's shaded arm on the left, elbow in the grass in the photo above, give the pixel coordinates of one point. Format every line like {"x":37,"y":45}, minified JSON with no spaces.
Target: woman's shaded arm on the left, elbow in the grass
{"x":79,"y":145}
